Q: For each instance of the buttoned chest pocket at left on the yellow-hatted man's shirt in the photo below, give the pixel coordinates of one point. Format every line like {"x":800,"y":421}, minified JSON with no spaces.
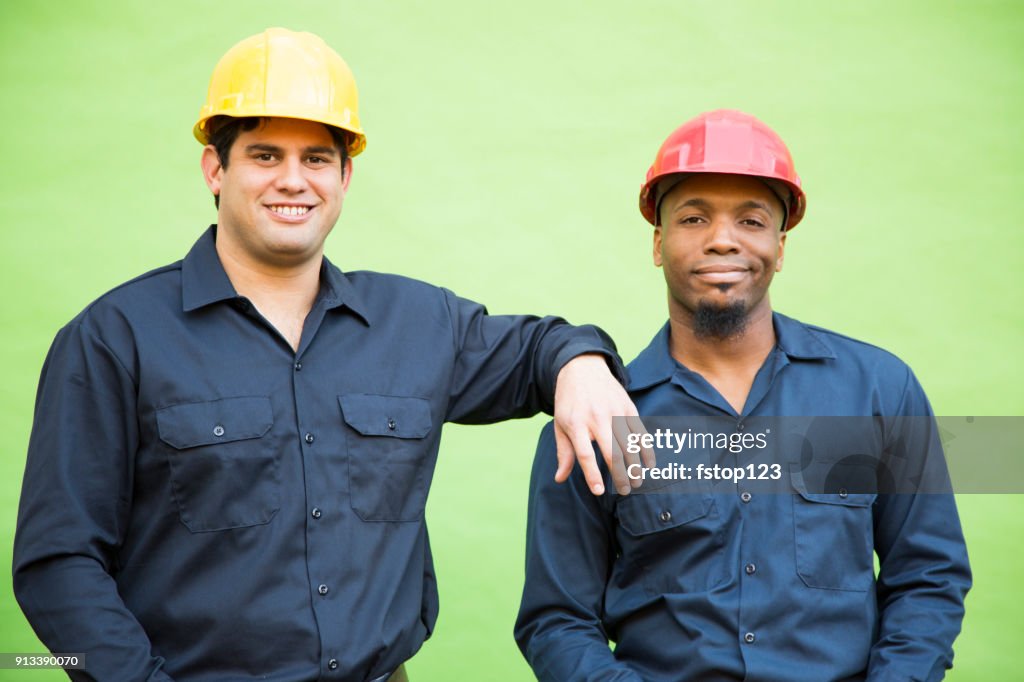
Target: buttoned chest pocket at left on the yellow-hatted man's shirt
{"x":225,"y":471}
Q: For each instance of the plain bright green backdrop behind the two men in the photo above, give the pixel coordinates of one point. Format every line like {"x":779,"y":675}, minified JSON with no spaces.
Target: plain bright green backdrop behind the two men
{"x":506,"y":146}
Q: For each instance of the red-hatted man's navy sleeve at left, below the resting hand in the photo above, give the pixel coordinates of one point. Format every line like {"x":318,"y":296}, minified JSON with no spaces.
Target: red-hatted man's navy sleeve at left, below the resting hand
{"x":570,"y":555}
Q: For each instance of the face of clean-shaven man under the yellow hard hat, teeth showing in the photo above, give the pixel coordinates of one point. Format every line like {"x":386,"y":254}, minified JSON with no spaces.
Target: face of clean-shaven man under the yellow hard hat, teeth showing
{"x":280,"y":194}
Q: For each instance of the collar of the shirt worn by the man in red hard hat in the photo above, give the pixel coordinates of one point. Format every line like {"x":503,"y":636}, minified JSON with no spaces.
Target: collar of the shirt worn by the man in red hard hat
{"x":656,"y":364}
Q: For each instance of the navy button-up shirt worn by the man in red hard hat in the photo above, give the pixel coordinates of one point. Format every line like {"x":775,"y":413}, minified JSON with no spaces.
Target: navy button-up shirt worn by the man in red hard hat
{"x":747,"y":586}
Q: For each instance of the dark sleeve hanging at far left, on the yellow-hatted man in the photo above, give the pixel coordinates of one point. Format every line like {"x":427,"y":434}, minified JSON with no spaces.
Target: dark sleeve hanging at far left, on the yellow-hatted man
{"x":74,"y":510}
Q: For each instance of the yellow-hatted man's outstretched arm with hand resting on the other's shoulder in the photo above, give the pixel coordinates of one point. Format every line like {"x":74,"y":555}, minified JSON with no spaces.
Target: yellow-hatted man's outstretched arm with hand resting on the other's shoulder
{"x":507,"y":367}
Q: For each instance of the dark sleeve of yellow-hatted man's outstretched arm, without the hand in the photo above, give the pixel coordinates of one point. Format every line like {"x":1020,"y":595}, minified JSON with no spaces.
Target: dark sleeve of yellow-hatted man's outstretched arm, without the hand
{"x":506,"y":366}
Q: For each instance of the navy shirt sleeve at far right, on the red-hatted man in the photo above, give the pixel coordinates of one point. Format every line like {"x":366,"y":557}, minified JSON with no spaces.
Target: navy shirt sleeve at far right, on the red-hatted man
{"x":924,"y":571}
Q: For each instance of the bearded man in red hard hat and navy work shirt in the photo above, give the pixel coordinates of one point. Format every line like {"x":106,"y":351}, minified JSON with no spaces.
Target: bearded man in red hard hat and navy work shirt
{"x":760,"y":572}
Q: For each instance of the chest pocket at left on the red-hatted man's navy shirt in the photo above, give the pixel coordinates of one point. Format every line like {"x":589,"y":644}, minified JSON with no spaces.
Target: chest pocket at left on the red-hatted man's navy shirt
{"x":672,"y":542}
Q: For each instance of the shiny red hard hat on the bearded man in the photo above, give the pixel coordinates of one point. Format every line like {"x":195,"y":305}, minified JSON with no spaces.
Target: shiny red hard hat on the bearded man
{"x":724,"y":142}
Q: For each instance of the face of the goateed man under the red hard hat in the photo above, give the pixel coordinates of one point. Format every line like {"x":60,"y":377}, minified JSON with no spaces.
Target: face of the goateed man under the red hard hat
{"x":720,"y":244}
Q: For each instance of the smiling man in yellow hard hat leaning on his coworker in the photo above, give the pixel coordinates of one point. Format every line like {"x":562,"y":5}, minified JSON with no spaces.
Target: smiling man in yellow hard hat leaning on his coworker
{"x":231,"y":455}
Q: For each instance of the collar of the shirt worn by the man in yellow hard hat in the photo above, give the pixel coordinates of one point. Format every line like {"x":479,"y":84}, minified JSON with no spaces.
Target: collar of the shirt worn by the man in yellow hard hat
{"x":204,"y":281}
